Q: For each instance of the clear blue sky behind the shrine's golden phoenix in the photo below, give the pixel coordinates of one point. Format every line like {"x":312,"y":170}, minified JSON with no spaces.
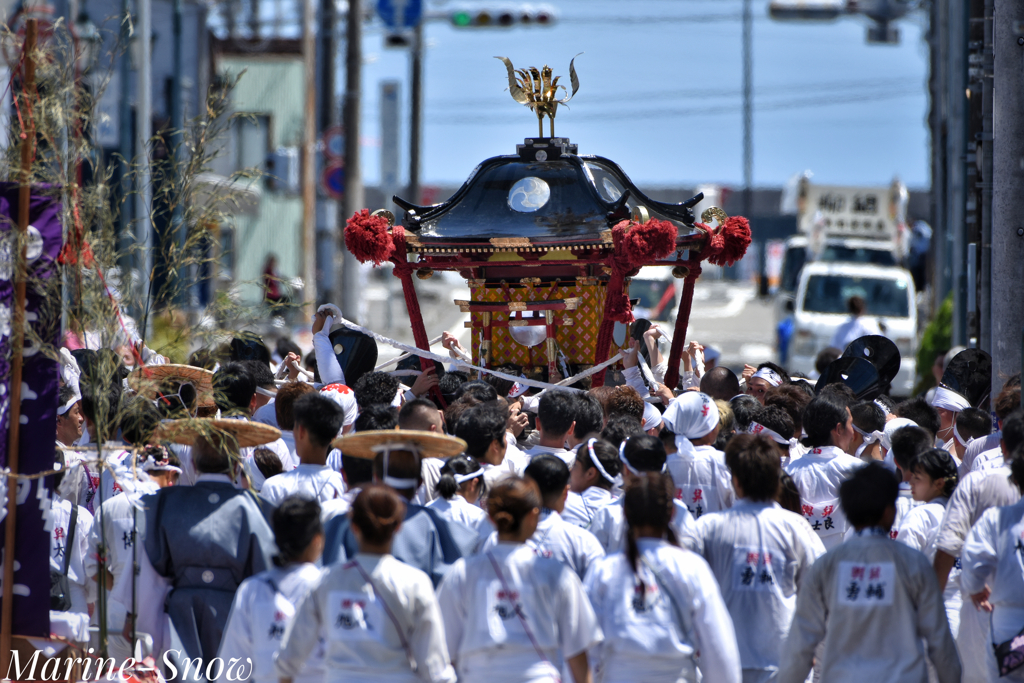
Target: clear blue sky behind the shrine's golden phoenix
{"x":661,"y":95}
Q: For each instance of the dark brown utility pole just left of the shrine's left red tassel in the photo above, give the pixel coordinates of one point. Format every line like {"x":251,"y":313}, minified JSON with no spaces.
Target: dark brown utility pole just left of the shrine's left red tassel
{"x":354,"y":175}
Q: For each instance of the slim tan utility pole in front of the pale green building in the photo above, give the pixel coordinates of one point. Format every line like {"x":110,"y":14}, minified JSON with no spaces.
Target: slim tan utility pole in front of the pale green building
{"x":309,"y":170}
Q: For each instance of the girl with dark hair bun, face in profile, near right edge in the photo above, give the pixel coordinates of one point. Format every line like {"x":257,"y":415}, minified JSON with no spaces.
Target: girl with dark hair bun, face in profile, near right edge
{"x":933,"y":481}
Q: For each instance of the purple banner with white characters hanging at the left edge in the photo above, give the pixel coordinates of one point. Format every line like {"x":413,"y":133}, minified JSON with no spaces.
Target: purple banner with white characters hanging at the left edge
{"x":39,"y":400}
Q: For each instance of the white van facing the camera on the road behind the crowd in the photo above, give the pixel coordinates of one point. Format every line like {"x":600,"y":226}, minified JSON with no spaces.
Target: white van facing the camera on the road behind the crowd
{"x":821,"y":308}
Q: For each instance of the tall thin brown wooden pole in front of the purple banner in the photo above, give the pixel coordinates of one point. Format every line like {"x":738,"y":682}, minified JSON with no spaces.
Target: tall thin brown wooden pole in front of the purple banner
{"x":18,"y":345}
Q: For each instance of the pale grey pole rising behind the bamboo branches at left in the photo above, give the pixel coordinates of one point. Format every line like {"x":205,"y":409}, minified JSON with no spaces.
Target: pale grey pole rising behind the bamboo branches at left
{"x":145,"y":127}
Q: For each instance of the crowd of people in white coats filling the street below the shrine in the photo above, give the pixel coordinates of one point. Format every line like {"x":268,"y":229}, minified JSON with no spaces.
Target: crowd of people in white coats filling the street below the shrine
{"x":468,"y":528}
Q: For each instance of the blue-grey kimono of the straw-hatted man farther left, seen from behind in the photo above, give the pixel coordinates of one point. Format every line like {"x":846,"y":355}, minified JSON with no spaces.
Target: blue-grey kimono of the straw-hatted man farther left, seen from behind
{"x":205,"y":539}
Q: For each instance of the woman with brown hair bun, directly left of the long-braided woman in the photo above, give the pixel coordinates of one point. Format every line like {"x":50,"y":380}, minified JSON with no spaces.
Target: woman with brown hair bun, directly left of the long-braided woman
{"x":513,"y":616}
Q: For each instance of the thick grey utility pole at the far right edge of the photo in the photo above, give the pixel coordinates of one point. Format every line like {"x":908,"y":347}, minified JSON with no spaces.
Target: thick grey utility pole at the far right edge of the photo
{"x":1007,"y":229}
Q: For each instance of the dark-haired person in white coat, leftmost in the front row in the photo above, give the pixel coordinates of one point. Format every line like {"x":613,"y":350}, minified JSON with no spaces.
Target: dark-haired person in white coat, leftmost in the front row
{"x":266,"y":604}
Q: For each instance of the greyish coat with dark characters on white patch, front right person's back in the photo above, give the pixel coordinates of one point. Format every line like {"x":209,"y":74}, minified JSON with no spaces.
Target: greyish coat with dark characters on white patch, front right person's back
{"x":876,"y":604}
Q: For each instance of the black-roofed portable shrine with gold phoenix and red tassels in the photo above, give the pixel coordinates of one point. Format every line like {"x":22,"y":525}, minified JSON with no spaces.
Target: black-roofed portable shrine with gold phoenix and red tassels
{"x":547,"y":238}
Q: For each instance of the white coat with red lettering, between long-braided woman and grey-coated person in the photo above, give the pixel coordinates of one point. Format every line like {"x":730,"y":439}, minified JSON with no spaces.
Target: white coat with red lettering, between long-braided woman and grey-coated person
{"x":760,"y":554}
